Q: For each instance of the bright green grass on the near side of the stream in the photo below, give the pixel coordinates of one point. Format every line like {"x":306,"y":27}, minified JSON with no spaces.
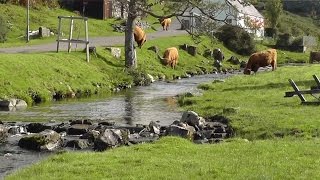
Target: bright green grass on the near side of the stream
{"x":283,"y":139}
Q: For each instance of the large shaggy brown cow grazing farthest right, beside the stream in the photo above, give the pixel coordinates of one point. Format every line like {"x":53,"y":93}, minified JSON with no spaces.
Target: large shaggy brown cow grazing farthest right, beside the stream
{"x":261,"y":59}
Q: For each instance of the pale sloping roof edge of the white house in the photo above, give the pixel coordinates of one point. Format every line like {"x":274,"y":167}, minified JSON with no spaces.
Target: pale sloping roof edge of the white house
{"x":248,"y":9}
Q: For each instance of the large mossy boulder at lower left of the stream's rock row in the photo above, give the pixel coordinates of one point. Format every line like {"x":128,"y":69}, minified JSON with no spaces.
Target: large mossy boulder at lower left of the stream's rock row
{"x":47,"y":140}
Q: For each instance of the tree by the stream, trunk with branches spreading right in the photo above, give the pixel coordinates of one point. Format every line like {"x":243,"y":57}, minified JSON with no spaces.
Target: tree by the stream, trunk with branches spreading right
{"x":135,"y":8}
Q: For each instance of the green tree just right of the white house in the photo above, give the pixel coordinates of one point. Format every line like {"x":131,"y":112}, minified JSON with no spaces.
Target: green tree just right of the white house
{"x":274,"y":10}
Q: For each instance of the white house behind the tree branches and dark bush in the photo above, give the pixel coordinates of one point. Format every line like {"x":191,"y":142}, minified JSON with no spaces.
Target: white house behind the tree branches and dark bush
{"x":234,"y":12}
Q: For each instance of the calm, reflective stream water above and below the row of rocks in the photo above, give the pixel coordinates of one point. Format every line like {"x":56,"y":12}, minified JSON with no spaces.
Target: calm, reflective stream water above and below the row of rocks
{"x":138,"y":105}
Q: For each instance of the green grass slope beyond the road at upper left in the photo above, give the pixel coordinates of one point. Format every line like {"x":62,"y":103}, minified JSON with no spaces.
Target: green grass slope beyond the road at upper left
{"x":42,"y":16}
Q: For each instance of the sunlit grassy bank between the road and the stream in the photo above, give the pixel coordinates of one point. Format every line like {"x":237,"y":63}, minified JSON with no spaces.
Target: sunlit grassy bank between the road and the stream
{"x":36,"y":77}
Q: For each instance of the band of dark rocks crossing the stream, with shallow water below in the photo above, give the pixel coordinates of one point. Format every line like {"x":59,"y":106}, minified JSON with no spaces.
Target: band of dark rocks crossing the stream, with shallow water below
{"x":37,"y":140}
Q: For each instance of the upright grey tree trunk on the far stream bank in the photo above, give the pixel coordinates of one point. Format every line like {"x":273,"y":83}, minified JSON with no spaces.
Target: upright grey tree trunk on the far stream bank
{"x":130,"y":54}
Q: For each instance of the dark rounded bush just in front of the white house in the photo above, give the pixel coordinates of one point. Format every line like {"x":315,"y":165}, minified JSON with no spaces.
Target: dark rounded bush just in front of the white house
{"x":236,"y":39}
